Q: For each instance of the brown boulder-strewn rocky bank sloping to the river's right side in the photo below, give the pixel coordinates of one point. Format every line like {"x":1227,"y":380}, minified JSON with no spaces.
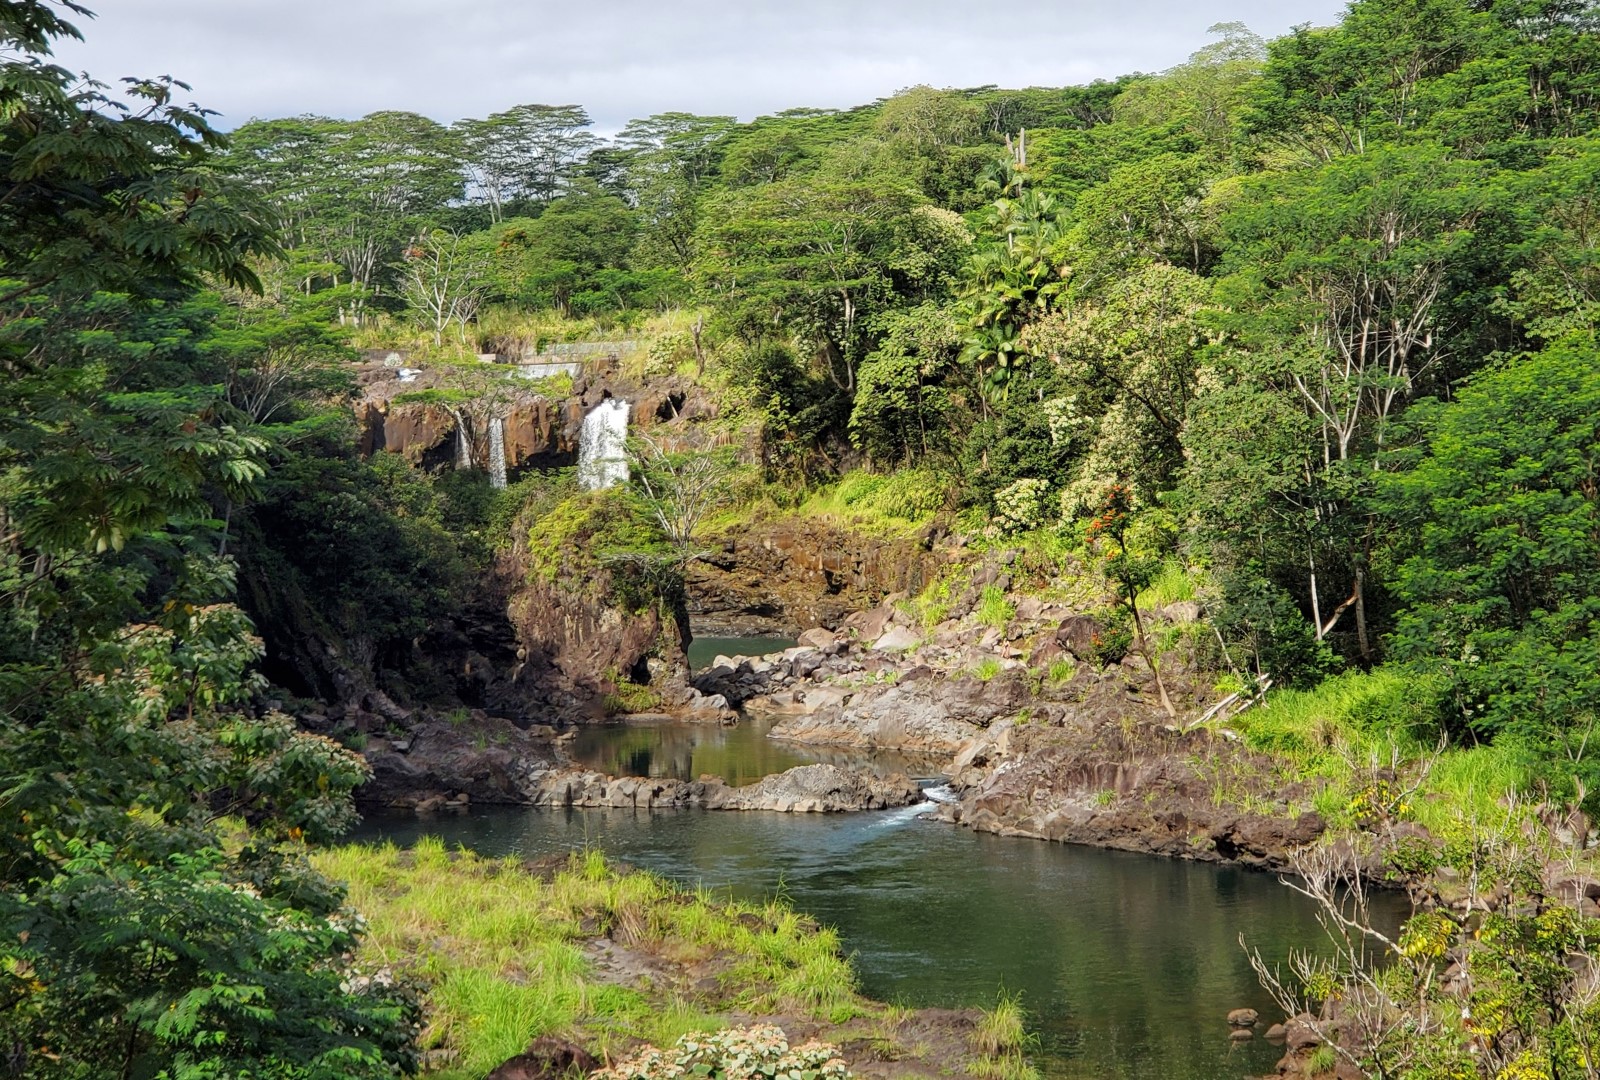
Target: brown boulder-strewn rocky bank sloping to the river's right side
{"x":1041,"y":738}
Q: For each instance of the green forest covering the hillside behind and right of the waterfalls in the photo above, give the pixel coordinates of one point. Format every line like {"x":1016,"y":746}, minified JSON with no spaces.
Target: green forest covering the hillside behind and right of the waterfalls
{"x":1284,"y":295}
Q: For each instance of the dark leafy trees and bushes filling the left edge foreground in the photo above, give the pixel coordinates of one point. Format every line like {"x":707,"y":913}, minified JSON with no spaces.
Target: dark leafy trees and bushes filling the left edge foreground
{"x":138,"y":938}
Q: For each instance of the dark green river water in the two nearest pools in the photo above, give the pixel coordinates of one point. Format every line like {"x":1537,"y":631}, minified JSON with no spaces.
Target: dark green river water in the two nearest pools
{"x":1126,"y":964}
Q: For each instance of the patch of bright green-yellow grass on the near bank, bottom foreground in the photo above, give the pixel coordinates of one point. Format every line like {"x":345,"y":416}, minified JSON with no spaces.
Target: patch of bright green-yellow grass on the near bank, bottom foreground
{"x":502,"y":953}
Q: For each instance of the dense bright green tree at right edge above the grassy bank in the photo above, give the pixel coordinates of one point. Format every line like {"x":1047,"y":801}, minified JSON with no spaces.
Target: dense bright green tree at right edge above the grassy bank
{"x":1502,"y":572}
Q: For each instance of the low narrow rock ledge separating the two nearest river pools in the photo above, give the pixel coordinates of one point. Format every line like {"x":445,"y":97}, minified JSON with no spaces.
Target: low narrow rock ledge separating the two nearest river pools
{"x":802,"y":790}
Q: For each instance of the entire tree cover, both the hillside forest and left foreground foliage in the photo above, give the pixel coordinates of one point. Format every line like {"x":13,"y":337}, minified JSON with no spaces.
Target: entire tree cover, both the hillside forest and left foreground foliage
{"x":1318,"y":316}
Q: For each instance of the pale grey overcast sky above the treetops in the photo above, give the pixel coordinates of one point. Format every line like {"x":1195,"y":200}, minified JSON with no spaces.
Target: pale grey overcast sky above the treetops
{"x":633,"y":58}
